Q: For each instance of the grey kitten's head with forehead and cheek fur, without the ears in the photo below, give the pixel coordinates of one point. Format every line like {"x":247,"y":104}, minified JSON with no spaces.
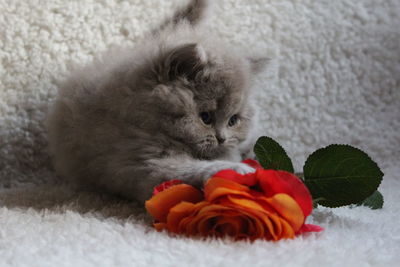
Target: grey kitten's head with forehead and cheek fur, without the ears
{"x":208,"y":110}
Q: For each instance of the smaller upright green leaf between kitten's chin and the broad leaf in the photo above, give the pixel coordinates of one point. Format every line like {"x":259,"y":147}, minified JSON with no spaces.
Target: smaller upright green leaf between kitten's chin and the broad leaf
{"x":271,"y":155}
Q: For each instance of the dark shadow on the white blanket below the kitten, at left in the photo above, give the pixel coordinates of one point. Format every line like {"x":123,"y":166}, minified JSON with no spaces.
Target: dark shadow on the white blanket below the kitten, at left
{"x":62,"y":199}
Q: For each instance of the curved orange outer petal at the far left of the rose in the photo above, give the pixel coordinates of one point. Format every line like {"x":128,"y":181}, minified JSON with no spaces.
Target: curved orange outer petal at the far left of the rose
{"x":159,"y":205}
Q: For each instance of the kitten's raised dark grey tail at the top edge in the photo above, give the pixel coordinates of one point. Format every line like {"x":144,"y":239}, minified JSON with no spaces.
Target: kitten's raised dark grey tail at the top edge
{"x":192,"y":13}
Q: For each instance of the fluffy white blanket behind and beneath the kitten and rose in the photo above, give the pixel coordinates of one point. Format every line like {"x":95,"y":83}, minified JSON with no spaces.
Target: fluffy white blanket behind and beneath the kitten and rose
{"x":334,"y":78}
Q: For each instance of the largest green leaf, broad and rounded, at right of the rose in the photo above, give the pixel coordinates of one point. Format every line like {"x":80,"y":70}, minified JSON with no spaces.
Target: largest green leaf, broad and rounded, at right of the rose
{"x":341,"y":175}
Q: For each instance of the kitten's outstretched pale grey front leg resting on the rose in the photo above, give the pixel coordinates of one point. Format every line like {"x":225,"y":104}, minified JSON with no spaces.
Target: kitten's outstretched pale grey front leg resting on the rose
{"x":189,"y":170}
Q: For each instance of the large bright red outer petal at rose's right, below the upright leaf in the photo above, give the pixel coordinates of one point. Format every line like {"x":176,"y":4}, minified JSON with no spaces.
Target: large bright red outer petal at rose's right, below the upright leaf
{"x":274,"y":182}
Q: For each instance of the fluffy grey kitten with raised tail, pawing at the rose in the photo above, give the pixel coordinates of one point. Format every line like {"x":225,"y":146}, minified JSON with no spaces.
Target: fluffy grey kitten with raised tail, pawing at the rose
{"x":177,"y":106}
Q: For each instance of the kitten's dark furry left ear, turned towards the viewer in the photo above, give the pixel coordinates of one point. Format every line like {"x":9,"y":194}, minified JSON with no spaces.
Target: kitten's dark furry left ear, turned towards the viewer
{"x":185,"y":61}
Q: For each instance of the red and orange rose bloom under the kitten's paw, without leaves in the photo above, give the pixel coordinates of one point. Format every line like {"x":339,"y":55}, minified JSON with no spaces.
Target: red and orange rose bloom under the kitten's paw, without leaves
{"x":266,"y":204}
